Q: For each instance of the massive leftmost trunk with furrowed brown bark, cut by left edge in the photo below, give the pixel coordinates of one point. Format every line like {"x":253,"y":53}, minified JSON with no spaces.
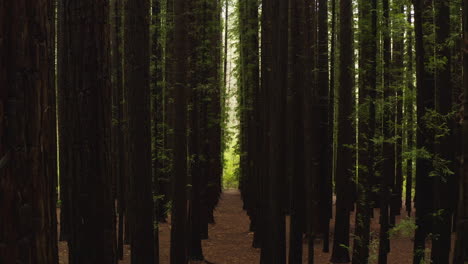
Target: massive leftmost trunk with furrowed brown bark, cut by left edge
{"x":27,"y":133}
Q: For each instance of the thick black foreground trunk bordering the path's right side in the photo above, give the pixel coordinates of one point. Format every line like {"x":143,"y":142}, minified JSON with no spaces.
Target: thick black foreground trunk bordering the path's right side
{"x":274,"y":58}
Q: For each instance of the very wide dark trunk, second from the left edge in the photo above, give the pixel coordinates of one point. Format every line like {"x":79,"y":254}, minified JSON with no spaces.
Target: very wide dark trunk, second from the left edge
{"x":84,"y":78}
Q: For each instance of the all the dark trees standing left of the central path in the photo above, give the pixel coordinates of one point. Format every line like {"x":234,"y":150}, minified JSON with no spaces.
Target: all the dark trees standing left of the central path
{"x":131,"y":92}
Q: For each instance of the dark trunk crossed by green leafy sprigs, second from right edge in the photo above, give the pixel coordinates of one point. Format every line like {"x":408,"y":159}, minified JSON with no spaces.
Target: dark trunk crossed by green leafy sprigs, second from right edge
{"x":443,"y":183}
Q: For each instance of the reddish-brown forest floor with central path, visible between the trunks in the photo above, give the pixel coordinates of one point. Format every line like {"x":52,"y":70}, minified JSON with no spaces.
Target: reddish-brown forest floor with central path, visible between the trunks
{"x":230,"y":240}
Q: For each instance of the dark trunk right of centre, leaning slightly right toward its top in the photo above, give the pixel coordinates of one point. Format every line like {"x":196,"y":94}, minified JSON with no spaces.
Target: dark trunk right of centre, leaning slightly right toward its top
{"x":344,"y":177}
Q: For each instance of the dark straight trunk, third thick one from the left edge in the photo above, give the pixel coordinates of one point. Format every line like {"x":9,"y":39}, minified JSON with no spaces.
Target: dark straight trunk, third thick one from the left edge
{"x":137,"y":81}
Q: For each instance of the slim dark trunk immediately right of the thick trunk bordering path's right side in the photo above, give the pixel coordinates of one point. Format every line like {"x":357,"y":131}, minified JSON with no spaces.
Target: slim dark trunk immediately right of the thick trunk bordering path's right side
{"x":299,"y":62}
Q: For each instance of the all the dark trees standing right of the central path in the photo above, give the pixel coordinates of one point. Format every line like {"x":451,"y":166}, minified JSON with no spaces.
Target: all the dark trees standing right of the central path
{"x":372,"y":104}
